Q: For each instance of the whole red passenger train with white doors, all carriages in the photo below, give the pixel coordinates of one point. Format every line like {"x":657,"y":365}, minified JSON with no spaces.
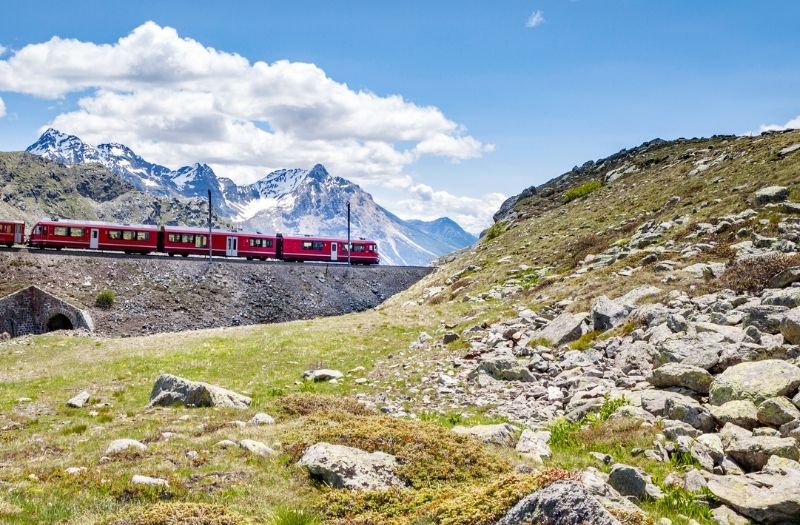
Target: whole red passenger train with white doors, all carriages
{"x":185,"y":241}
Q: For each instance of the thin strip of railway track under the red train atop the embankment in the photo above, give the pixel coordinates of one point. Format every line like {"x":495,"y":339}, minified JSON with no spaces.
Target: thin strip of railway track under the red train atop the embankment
{"x":193,"y":259}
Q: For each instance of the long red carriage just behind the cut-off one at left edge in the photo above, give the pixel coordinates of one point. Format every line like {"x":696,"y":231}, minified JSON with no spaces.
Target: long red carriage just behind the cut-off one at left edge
{"x":91,"y":235}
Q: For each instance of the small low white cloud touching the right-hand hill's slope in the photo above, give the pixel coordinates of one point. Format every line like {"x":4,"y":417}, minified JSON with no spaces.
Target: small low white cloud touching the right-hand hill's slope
{"x":473,"y":214}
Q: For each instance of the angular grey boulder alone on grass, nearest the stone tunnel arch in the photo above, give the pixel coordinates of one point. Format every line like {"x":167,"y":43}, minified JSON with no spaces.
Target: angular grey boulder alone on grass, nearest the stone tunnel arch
{"x":169,"y":390}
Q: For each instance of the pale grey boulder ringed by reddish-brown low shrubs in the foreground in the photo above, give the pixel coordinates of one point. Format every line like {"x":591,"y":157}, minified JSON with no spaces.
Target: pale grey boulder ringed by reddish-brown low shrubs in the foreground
{"x":351,"y":468}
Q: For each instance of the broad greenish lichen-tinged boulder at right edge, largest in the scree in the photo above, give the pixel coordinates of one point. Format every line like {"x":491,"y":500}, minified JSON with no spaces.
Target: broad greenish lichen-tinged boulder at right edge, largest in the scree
{"x":757,"y":381}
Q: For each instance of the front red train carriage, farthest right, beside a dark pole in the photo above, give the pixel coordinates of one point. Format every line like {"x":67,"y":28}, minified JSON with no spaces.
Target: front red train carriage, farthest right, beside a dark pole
{"x":303,"y":249}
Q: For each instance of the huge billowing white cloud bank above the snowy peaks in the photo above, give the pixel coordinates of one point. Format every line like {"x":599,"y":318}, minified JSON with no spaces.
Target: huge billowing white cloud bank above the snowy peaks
{"x":175,"y":101}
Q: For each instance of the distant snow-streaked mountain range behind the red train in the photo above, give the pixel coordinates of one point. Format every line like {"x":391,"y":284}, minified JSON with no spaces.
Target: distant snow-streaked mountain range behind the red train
{"x":290,"y":201}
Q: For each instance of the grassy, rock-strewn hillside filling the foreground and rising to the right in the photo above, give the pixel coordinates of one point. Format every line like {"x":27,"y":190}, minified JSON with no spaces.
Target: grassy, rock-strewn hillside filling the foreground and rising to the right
{"x":620,"y":348}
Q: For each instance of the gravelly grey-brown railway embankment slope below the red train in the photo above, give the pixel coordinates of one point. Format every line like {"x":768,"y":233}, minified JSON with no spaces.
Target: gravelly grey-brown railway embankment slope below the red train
{"x":153,"y":294}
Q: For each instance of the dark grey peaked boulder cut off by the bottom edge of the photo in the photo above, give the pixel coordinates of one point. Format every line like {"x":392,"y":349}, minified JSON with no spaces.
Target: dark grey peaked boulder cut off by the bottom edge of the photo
{"x":563,"y":502}
